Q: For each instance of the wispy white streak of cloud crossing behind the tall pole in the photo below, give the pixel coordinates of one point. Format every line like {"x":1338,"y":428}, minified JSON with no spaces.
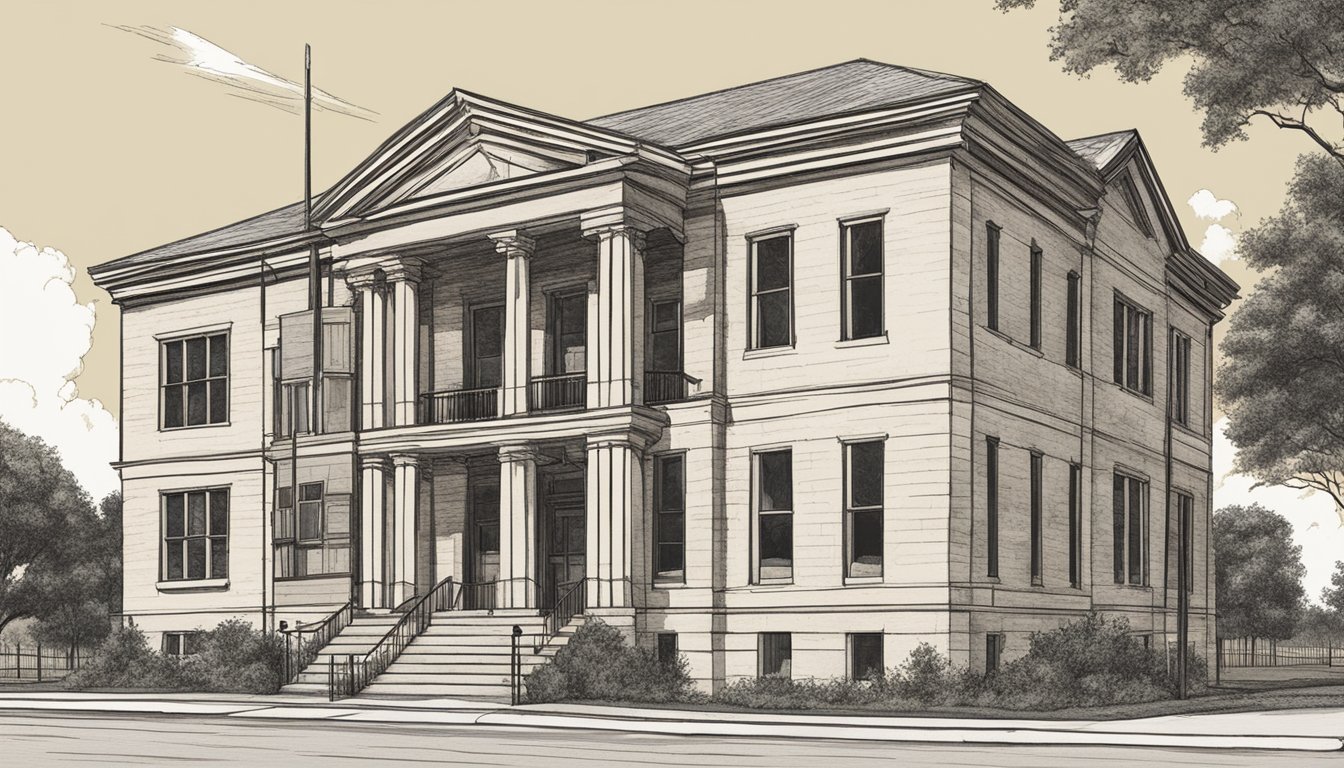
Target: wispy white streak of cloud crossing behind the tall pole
{"x":206,"y":60}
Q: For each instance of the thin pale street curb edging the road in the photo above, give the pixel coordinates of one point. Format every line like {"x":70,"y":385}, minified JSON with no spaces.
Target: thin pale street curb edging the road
{"x":404,"y":714}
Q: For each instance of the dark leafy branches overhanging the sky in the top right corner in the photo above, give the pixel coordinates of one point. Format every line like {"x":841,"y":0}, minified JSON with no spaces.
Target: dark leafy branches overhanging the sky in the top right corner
{"x":1282,"y":61}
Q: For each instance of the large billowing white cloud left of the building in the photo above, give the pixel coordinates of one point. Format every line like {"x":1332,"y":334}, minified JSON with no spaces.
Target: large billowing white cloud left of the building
{"x":46,"y":337}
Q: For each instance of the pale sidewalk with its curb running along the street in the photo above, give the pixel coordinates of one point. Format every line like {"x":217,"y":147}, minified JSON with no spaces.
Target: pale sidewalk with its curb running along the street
{"x":1308,"y":730}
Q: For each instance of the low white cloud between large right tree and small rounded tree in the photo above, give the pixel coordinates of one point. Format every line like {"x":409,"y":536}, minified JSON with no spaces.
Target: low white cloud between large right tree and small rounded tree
{"x":1316,"y":525}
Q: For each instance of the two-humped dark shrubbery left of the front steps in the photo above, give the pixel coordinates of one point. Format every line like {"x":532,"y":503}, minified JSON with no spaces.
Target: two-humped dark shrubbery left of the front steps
{"x":233,"y":658}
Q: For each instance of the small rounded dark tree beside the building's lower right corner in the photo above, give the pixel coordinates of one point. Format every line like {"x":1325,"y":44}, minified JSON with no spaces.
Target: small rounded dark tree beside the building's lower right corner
{"x":1259,"y":574}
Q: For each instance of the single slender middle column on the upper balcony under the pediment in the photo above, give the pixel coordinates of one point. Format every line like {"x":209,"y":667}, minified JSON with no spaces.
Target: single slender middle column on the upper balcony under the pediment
{"x":518,"y":356}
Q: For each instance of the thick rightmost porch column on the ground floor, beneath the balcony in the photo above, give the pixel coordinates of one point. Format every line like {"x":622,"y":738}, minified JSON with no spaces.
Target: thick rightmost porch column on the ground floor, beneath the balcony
{"x":615,"y":504}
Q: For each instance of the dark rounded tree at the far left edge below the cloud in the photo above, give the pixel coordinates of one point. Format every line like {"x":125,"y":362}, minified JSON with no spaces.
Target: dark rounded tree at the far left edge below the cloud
{"x":41,"y":506}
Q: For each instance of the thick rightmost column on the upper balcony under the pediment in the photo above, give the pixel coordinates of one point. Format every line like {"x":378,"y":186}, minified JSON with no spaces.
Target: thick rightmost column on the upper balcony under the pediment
{"x":616,"y":323}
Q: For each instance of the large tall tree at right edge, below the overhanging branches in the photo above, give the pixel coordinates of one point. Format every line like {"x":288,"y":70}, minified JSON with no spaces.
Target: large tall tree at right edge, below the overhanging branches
{"x":1284,"y":352}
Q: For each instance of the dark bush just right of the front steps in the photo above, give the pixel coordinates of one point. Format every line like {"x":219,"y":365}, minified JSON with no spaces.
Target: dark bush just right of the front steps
{"x":597,"y":665}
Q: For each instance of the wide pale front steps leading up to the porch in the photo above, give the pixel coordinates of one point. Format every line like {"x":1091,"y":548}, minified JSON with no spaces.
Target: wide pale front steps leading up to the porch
{"x":462,"y":654}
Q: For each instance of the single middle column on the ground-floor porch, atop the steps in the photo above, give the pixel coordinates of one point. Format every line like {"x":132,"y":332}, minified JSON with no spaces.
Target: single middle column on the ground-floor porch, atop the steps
{"x":518,"y":527}
